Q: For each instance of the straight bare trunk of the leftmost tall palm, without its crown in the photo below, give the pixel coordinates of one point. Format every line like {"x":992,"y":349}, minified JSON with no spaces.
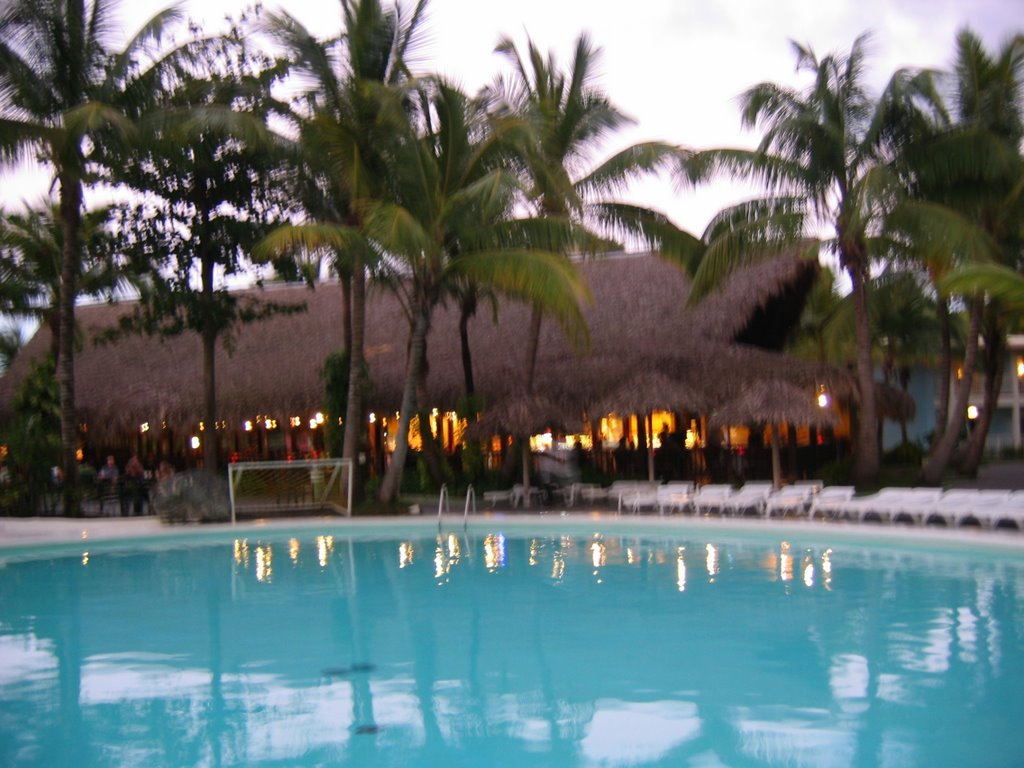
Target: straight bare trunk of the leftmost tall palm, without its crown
{"x":71,"y":220}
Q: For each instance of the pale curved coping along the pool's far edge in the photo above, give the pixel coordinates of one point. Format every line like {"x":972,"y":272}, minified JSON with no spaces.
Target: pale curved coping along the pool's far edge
{"x":29,"y":533}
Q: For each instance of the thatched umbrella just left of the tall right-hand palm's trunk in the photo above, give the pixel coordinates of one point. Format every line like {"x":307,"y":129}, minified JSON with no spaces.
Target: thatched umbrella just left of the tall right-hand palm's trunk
{"x":774,"y":403}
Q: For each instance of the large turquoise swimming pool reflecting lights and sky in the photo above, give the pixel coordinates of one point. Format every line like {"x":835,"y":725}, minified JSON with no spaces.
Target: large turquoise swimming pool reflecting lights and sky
{"x":580,"y":645}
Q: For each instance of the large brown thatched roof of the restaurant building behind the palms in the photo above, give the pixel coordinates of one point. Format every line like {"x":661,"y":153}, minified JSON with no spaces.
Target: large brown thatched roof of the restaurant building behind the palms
{"x":637,"y":323}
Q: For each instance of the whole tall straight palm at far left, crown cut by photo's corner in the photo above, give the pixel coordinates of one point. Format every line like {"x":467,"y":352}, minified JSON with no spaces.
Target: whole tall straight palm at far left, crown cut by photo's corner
{"x":62,"y":83}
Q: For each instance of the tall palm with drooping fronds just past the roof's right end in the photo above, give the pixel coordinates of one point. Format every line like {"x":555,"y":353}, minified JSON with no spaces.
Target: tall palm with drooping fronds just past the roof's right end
{"x":825,"y":160}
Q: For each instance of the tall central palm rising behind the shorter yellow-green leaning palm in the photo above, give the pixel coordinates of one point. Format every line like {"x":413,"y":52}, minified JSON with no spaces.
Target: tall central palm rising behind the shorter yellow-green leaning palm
{"x":568,"y":117}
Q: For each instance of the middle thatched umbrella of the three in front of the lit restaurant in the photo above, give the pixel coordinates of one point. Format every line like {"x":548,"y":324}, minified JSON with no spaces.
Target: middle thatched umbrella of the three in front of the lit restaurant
{"x":647,"y":392}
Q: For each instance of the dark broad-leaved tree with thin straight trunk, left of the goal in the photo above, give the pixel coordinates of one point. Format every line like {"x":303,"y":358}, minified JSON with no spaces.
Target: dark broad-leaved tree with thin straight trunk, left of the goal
{"x":208,"y":185}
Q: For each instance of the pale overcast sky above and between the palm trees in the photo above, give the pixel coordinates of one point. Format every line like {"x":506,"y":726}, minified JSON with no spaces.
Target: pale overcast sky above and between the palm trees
{"x":676,"y":67}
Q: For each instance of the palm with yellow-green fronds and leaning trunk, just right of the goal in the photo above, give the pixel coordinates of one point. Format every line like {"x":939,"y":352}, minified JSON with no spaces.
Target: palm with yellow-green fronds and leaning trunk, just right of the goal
{"x":451,"y":221}
